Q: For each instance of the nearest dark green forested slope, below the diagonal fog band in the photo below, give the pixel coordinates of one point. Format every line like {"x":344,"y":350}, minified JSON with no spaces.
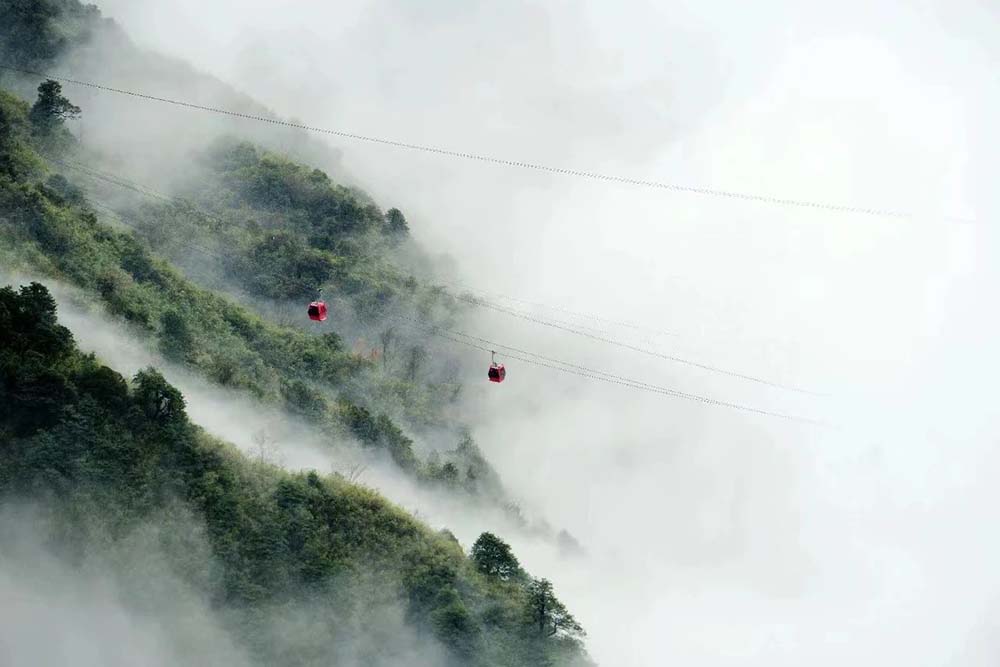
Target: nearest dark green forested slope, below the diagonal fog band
{"x":107,"y":455}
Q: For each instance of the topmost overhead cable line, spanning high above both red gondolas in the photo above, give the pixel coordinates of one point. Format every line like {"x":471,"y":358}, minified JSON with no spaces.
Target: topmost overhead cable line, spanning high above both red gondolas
{"x":480,"y":157}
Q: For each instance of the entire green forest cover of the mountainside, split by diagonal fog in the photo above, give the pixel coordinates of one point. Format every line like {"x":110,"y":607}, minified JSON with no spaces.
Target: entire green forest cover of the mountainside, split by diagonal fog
{"x":205,"y":273}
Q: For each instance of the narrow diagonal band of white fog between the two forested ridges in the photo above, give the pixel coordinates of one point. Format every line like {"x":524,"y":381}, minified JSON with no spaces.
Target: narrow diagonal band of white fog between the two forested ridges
{"x":266,"y":433}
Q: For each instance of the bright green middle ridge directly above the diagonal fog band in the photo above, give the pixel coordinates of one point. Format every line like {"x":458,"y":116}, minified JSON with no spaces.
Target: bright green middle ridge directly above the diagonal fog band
{"x":53,"y":224}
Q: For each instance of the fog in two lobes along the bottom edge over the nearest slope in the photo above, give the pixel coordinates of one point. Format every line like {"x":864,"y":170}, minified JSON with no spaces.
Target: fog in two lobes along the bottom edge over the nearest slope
{"x":121,"y":601}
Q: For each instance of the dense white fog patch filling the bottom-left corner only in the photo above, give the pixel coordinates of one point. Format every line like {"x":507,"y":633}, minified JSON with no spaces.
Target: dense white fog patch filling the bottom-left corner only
{"x":94,"y":612}
